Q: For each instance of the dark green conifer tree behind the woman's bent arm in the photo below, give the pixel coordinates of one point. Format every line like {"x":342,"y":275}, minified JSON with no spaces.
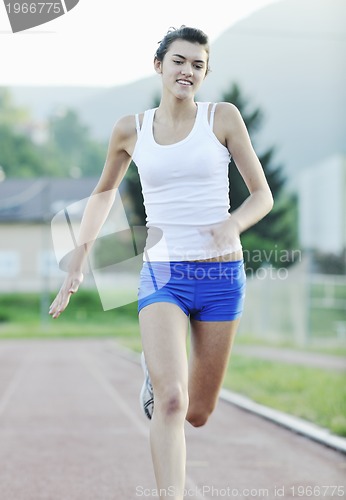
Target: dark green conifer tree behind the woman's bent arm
{"x":275,"y":236}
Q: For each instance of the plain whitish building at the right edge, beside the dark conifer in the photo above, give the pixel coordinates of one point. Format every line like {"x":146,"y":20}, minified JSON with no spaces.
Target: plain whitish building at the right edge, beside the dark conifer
{"x":322,"y":206}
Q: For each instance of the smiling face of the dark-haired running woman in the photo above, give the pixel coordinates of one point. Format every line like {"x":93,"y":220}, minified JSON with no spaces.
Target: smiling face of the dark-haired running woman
{"x":183,"y":68}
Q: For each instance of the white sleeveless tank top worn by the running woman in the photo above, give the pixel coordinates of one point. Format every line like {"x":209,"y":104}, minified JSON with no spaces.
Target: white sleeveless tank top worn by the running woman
{"x":185,"y":189}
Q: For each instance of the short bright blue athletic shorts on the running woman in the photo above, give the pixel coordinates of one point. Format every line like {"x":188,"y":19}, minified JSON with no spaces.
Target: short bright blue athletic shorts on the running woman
{"x":205,"y":291}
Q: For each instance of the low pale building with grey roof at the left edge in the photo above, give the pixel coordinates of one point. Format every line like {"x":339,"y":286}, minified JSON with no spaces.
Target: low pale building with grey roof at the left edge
{"x":27,"y":257}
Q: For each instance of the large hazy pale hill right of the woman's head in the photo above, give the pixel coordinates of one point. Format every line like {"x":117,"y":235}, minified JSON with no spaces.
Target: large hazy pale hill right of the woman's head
{"x":290,"y":58}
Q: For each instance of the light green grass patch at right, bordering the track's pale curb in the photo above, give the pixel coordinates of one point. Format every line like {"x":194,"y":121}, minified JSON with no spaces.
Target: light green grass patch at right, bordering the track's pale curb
{"x":313,"y":394}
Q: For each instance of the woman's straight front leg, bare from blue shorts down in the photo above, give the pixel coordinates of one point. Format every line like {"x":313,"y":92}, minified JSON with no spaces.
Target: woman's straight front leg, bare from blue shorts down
{"x":164,"y":329}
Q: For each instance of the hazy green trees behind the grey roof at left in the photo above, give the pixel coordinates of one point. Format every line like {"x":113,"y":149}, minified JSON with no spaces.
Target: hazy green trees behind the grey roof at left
{"x":68,"y":150}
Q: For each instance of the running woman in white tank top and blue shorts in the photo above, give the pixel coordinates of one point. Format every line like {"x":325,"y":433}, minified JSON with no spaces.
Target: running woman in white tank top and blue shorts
{"x":195,"y":275}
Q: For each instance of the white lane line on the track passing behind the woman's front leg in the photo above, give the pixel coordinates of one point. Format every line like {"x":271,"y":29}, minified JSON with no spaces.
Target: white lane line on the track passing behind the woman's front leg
{"x":96,"y":372}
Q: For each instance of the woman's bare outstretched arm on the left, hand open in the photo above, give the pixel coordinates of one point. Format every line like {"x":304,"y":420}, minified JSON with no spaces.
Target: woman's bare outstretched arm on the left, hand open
{"x":97,"y":209}
